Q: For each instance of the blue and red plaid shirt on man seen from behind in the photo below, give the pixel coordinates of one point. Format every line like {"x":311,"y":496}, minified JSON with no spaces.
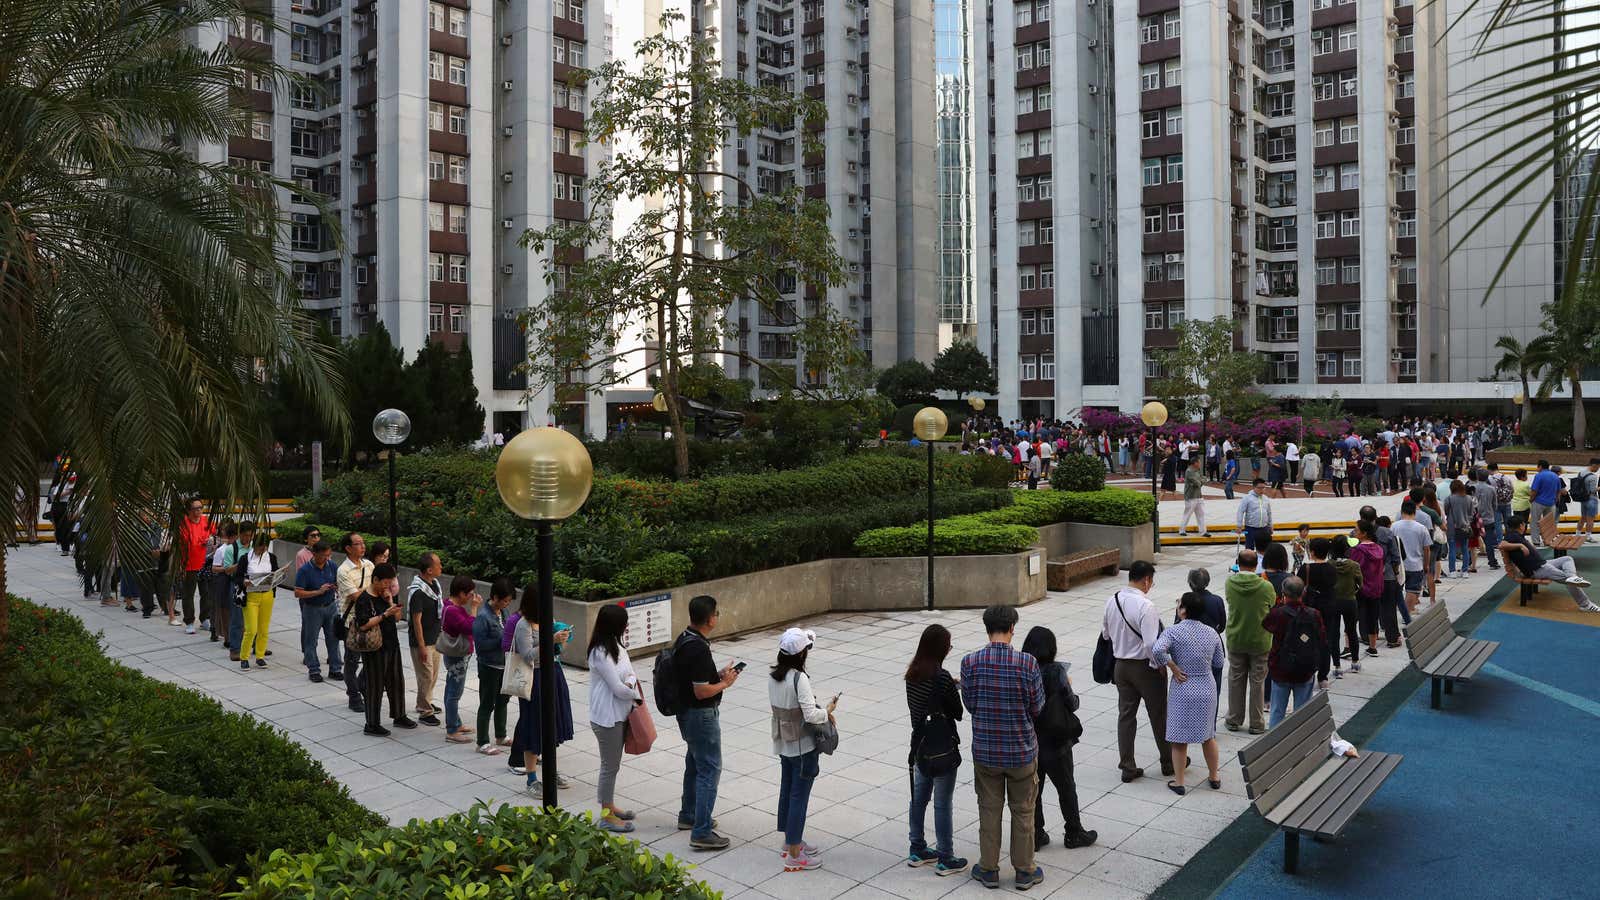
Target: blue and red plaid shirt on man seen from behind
{"x":1004,"y":693}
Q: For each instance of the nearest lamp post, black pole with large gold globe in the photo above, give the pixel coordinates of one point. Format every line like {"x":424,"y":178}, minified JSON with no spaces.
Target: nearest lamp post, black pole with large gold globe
{"x":545,"y":475}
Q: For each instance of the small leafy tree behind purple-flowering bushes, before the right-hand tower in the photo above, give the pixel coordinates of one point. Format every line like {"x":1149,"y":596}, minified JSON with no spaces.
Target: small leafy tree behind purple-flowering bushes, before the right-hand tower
{"x":1206,"y":368}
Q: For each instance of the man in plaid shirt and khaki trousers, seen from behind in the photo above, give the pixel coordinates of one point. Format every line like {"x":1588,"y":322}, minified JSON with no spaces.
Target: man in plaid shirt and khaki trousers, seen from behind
{"x":1006,"y":694}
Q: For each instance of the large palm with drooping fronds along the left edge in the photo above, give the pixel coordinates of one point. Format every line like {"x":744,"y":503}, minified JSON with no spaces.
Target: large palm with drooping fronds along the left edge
{"x":140,"y":289}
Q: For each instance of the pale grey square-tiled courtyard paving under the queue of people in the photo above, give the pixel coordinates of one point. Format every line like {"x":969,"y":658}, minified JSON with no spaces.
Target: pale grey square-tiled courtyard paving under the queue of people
{"x":858,"y":808}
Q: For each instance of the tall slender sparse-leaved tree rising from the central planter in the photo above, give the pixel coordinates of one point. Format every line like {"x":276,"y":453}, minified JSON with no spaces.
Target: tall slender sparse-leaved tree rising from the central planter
{"x":705,"y":247}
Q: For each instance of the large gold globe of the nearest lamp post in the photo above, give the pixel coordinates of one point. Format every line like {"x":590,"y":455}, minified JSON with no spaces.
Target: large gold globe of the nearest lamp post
{"x":545,"y":473}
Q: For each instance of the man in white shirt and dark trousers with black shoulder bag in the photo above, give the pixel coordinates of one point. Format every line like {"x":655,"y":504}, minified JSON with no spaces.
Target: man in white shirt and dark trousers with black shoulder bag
{"x":1132,"y":625}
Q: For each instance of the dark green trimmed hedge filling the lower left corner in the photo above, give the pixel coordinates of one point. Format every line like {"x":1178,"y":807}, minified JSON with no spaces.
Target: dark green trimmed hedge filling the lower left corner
{"x":220,"y":787}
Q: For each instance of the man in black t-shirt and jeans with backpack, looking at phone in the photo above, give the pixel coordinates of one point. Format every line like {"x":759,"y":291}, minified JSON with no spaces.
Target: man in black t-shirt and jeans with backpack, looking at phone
{"x":700,"y":696}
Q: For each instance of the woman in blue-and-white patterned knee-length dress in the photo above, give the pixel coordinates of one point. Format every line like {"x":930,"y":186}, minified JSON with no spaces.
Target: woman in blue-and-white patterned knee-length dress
{"x":1191,"y":649}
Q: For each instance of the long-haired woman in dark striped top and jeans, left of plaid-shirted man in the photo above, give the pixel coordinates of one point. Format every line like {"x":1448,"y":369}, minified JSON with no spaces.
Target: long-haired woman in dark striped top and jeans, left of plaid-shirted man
{"x":935,"y":704}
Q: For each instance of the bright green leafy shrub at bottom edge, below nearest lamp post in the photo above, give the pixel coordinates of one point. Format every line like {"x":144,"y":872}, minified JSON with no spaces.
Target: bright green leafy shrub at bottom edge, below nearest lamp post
{"x":503,"y":853}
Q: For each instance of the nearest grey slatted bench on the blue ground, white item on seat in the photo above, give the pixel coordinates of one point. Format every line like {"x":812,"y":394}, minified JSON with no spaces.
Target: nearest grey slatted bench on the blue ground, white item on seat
{"x":1300,"y":787}
